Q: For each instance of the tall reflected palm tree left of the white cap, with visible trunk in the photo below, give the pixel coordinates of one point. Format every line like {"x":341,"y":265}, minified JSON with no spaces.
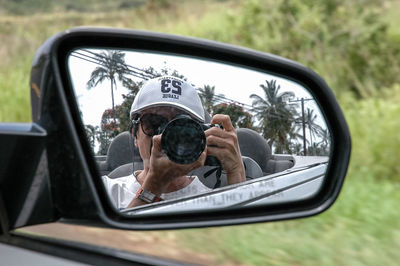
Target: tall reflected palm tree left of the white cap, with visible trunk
{"x":111,"y":67}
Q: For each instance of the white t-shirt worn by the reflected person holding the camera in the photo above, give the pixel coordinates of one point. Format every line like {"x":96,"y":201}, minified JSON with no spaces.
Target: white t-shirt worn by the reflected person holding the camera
{"x":123,"y":189}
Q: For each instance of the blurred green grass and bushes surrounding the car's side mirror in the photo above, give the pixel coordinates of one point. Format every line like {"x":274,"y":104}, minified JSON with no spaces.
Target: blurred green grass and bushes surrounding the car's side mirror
{"x":354,"y":45}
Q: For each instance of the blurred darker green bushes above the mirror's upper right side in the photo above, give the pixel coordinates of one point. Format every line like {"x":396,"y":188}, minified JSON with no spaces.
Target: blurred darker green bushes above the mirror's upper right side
{"x":347,"y":42}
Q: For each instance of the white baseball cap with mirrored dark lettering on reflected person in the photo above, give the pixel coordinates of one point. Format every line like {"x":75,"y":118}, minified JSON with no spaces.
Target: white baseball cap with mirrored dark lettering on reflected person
{"x":168,"y":91}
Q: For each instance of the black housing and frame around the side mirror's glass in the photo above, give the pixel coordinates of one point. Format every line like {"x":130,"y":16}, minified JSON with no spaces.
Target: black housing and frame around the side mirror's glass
{"x":71,"y":187}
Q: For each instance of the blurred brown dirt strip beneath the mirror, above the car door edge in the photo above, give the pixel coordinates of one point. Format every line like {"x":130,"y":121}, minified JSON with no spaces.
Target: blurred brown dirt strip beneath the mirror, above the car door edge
{"x":162,"y":244}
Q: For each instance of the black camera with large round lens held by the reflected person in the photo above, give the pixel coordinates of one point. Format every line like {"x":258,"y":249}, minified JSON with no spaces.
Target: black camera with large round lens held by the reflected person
{"x":183,"y":140}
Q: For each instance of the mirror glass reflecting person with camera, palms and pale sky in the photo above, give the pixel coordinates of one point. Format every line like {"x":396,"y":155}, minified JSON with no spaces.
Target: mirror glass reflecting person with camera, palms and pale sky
{"x":126,"y":97}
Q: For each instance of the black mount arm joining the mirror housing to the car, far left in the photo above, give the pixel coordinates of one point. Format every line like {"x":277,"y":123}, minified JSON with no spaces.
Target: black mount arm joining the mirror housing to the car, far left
{"x":24,"y":186}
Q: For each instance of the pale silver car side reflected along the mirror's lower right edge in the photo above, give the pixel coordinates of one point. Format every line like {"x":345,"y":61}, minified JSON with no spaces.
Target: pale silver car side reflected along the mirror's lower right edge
{"x":297,"y":183}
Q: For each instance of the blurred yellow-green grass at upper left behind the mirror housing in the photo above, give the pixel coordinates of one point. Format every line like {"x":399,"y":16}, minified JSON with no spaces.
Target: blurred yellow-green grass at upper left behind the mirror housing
{"x":22,"y":35}
